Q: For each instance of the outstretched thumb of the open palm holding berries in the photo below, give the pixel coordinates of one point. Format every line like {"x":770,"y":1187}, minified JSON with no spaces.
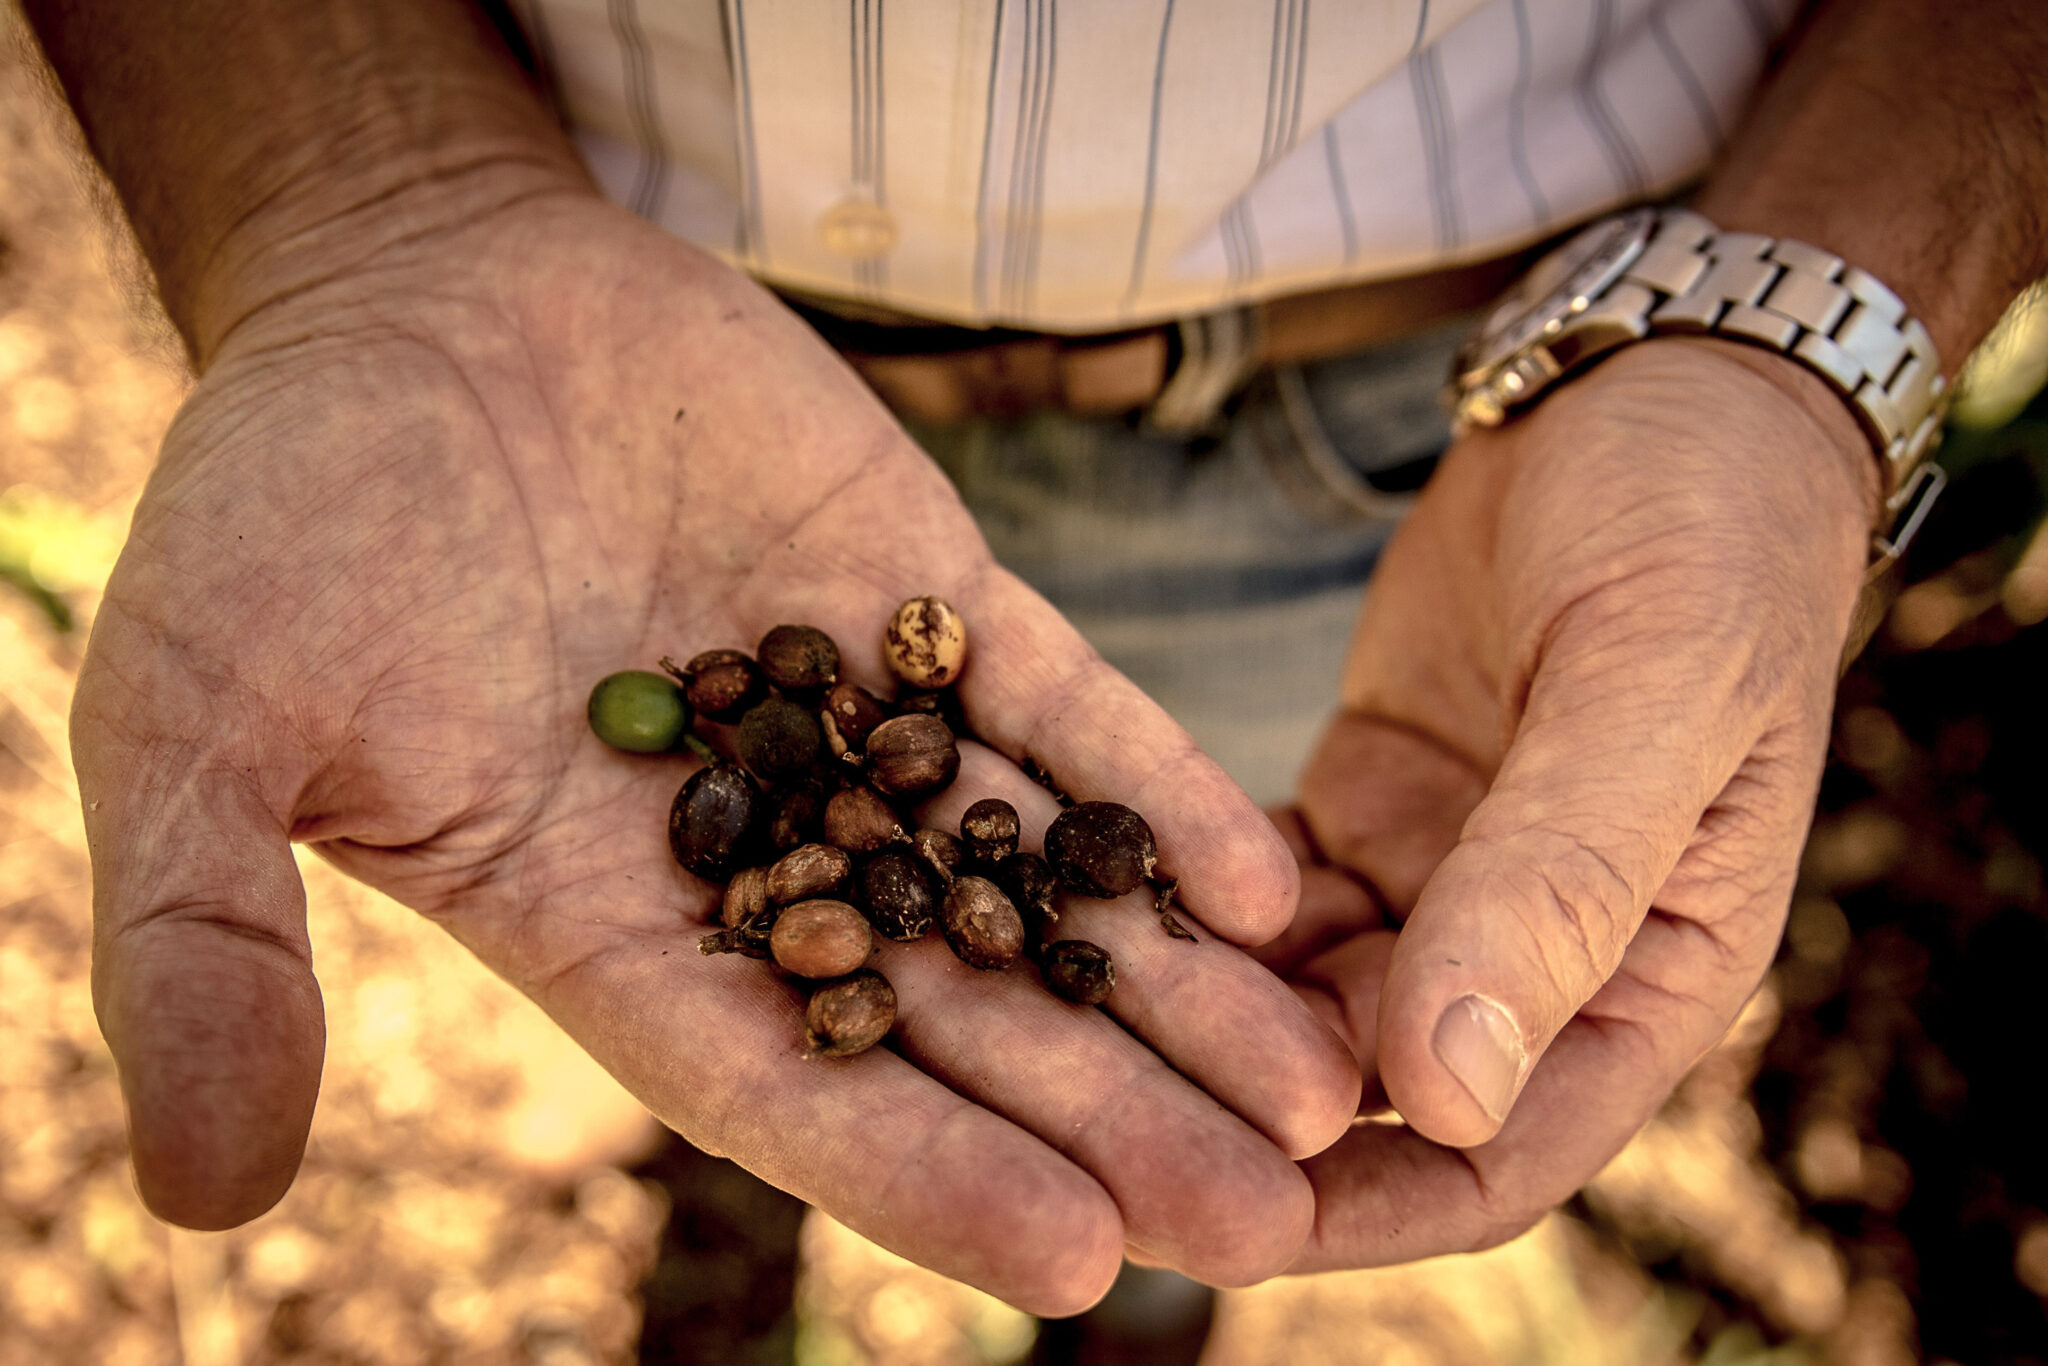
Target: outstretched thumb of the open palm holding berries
{"x":202,"y":968}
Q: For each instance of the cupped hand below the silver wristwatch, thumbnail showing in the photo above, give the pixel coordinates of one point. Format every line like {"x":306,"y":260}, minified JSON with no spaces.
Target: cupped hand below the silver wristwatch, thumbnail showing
{"x":1553,"y":833}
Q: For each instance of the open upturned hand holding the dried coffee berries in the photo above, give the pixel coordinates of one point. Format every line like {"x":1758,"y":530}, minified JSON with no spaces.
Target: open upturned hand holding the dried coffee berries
{"x":407,"y":521}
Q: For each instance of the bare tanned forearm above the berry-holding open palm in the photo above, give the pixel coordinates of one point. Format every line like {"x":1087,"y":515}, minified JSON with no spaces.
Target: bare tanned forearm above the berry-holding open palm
{"x":261,"y":146}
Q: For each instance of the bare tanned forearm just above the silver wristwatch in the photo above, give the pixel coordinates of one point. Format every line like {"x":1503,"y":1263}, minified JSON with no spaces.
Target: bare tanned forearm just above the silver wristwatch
{"x":1912,"y":140}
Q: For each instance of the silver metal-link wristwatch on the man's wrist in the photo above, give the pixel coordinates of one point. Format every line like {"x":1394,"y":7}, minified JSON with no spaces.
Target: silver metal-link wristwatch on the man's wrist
{"x":1670,"y":271}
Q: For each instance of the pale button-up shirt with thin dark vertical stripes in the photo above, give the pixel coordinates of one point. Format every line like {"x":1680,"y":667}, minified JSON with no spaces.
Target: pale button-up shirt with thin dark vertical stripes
{"x":1095,"y":165}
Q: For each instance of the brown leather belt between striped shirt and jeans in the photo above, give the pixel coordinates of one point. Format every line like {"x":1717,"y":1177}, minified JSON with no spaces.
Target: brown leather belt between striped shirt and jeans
{"x":1179,"y":374}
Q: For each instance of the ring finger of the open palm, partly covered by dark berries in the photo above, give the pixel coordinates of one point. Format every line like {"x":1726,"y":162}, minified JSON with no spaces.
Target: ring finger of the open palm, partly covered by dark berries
{"x":1211,"y":1013}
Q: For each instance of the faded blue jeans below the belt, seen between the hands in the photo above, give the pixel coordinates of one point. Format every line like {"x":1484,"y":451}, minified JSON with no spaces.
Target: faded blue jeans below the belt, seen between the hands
{"x":1222,"y":574}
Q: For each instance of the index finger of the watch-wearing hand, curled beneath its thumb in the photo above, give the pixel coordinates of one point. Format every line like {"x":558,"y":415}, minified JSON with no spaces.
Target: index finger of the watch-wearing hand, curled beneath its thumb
{"x":1390,"y":1195}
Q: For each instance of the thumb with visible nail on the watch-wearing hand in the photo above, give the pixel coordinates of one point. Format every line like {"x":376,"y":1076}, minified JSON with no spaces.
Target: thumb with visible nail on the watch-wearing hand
{"x":1529,"y":916}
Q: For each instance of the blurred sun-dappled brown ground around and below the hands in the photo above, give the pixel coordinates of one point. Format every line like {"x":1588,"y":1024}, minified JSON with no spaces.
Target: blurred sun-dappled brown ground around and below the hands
{"x":1854,"y":1179}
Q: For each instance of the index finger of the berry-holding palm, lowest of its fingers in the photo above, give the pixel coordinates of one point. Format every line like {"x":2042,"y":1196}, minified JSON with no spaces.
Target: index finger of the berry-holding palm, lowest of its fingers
{"x":716,"y":1050}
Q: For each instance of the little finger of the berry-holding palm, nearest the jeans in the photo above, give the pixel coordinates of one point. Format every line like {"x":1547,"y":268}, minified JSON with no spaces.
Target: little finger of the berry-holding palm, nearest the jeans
{"x":1037,"y":691}
